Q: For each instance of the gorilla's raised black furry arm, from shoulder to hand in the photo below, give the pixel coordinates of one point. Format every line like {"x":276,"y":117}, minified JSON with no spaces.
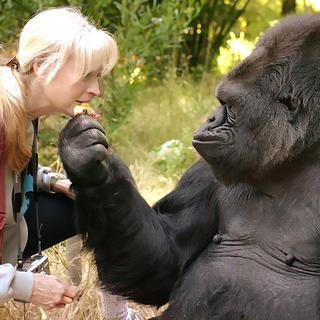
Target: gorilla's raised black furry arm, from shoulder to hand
{"x":139,"y":251}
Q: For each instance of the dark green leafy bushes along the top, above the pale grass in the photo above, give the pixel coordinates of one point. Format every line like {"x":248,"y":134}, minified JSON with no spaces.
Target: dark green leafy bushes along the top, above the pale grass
{"x":158,"y":37}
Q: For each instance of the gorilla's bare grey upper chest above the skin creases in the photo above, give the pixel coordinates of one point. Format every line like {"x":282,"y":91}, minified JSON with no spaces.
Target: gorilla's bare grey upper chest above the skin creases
{"x":286,"y":227}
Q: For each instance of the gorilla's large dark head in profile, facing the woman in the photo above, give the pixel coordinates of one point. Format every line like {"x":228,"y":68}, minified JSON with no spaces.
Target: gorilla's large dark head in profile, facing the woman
{"x":269,"y":103}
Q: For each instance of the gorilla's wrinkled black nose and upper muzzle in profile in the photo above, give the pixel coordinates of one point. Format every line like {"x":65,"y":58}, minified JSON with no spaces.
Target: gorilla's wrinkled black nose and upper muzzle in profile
{"x":205,"y":131}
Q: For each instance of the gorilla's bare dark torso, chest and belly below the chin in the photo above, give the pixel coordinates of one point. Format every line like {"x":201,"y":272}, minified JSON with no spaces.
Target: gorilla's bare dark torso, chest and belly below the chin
{"x":263,"y":264}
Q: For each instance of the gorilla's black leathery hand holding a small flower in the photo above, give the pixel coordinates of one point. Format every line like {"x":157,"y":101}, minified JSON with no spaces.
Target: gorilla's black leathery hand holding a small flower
{"x":83,"y":151}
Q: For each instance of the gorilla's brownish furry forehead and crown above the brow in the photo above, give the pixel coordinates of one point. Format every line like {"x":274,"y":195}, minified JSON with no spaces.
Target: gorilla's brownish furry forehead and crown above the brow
{"x":283,"y":45}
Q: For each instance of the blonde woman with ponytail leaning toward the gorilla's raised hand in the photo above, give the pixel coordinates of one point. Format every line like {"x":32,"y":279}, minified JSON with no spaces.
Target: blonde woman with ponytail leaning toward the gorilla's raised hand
{"x":59,"y":60}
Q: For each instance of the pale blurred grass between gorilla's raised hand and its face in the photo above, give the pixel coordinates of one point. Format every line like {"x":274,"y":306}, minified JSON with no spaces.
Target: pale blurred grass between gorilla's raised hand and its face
{"x":161,"y":113}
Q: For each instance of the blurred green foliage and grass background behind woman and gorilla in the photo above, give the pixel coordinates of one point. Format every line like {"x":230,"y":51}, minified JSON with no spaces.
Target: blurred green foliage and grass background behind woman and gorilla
{"x":171,"y":52}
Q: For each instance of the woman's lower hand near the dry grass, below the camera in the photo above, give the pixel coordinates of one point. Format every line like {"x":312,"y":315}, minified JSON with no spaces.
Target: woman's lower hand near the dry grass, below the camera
{"x":50,"y":292}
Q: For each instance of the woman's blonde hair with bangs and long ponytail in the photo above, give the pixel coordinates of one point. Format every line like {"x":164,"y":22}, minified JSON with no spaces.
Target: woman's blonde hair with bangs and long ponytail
{"x":54,"y":36}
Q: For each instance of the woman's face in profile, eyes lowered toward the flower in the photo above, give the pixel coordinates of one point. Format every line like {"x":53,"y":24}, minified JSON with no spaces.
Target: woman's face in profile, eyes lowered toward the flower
{"x":62,"y":94}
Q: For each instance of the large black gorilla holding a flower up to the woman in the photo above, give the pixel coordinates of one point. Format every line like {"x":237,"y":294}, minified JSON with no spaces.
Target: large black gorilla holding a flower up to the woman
{"x":239,"y":236}
